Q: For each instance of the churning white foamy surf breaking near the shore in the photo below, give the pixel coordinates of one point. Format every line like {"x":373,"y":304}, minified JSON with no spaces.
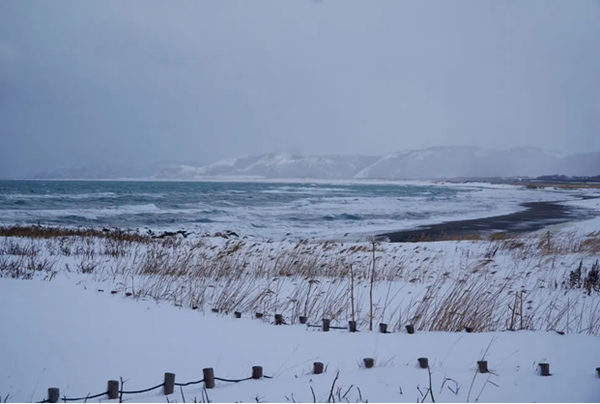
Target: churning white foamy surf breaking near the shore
{"x":315,"y":215}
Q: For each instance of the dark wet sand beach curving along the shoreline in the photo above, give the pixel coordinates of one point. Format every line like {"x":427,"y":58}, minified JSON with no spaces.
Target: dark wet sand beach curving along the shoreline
{"x":536,"y":216}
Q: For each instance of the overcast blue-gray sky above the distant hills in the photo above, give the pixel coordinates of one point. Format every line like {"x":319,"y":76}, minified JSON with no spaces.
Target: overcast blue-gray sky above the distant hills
{"x":141,"y":81}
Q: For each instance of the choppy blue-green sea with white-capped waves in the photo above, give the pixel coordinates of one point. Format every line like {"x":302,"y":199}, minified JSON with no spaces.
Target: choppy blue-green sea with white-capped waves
{"x":265,"y":210}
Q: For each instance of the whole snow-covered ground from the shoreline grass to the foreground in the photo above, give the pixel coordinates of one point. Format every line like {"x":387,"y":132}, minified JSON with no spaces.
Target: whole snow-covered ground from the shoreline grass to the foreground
{"x":59,"y":330}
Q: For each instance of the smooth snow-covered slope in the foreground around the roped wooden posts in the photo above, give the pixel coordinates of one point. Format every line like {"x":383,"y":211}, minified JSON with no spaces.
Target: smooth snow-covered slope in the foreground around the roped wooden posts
{"x":60,"y":334}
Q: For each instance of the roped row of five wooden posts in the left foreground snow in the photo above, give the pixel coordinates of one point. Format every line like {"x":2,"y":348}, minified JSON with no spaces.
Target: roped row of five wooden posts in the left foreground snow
{"x":115,"y":388}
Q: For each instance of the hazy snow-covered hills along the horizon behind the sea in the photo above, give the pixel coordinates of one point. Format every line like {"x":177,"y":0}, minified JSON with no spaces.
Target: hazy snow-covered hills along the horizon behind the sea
{"x":431,"y":163}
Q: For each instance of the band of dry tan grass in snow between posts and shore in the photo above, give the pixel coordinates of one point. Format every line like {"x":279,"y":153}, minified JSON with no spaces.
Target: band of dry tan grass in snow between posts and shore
{"x":511,"y":282}
